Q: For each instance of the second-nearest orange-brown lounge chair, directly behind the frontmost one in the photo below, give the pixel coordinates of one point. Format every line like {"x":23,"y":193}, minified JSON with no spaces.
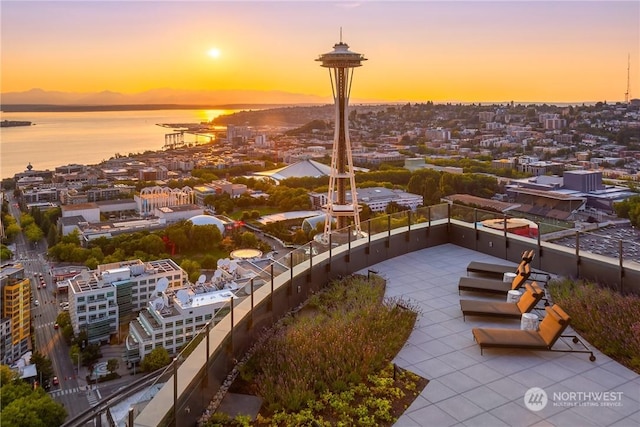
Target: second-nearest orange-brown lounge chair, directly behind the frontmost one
{"x":527,"y":302}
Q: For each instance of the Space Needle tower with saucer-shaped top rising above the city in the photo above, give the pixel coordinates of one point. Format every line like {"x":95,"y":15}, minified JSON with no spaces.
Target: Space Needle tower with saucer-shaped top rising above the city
{"x":341,"y":63}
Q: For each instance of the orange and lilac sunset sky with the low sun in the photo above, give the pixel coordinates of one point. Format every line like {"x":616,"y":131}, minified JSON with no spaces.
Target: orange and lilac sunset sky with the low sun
{"x":467,"y":51}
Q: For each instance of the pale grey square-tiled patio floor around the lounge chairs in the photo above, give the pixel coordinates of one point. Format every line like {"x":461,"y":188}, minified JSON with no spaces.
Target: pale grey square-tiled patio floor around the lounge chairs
{"x":470,"y":389}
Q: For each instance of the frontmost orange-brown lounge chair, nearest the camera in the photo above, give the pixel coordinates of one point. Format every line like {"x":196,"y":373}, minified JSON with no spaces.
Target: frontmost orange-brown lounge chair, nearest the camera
{"x":550,"y":330}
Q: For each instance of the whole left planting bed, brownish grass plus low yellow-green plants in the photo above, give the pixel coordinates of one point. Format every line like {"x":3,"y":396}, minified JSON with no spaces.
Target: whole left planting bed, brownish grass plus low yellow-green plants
{"x":334,"y":345}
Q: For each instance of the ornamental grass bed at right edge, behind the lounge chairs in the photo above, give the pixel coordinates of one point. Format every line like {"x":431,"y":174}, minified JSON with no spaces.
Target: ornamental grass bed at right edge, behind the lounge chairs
{"x":605,"y":318}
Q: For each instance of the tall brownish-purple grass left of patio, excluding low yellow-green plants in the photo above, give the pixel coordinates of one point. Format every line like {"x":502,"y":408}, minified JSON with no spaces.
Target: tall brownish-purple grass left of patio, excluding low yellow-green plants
{"x":352,"y":334}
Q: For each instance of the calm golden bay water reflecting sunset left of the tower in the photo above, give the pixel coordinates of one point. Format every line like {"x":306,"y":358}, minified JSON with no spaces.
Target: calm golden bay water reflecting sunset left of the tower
{"x":61,"y":138}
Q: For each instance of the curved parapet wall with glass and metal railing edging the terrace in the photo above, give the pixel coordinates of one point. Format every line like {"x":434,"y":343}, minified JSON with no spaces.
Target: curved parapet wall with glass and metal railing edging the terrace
{"x":195,"y":382}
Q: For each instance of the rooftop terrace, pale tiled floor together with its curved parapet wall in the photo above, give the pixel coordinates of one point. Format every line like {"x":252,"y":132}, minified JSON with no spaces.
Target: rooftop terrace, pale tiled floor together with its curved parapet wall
{"x":422,"y":255}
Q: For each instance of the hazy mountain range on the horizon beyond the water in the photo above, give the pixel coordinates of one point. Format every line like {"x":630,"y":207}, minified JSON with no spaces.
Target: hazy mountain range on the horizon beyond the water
{"x":159,"y":97}
